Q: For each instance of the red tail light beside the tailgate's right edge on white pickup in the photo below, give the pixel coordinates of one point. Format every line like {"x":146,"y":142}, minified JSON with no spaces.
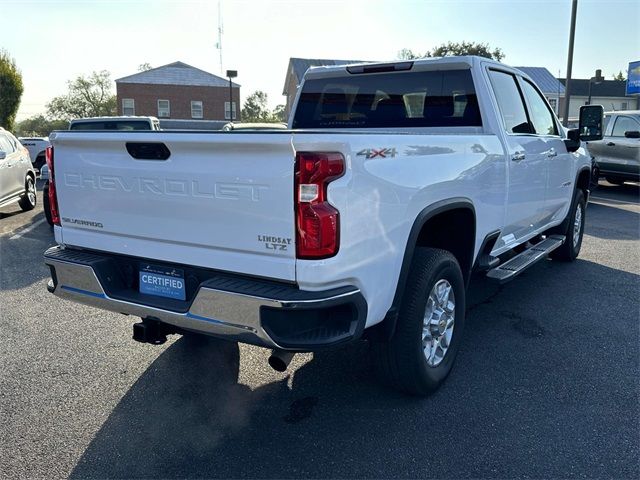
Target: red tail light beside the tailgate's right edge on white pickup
{"x":317,"y":221}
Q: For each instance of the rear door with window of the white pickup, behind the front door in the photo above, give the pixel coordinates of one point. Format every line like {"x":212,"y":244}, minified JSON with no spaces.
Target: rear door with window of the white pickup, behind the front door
{"x":527,"y":155}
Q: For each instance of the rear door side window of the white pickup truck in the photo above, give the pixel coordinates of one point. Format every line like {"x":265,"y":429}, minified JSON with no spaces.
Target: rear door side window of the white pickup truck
{"x":514,"y":115}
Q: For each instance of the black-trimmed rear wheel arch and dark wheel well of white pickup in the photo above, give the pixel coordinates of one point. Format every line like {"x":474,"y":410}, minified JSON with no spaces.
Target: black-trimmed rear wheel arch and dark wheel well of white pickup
{"x":457,"y":214}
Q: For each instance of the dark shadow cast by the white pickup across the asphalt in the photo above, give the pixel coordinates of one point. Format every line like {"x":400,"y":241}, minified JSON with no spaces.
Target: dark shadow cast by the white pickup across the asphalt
{"x":188,"y":416}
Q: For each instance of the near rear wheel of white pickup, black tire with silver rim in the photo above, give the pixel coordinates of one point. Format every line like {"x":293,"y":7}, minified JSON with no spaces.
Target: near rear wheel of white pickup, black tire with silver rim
{"x":422,"y":350}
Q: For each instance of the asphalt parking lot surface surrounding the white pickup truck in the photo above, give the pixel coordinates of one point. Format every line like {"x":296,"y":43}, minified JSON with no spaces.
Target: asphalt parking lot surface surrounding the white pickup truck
{"x":546,"y":383}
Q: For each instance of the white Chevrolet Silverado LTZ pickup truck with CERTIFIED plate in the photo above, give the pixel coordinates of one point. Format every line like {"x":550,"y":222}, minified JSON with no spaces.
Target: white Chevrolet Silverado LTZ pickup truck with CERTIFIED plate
{"x":367,"y":217}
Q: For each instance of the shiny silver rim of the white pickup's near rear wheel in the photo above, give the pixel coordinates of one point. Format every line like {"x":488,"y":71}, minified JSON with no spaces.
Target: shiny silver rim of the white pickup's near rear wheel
{"x":438,"y":323}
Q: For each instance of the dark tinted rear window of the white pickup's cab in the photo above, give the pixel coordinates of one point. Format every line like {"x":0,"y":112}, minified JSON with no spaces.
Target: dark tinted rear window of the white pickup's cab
{"x":389,"y":100}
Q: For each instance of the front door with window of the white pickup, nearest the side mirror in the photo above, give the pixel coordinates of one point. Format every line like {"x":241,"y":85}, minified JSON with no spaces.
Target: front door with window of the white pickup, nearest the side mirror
{"x":559,"y":162}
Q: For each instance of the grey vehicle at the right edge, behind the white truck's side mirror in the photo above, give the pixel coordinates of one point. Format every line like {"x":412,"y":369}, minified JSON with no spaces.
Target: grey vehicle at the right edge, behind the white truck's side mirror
{"x":618,"y":153}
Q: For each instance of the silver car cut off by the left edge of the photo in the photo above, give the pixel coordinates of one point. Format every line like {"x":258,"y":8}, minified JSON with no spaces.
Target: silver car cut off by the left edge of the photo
{"x":17,"y":177}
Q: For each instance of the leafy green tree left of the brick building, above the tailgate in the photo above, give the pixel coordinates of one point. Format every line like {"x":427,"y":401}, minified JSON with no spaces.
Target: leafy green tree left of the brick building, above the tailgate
{"x":89,"y":96}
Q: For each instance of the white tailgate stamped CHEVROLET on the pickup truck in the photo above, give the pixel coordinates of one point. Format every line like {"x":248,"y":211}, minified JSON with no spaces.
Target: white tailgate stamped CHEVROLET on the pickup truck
{"x":221,"y":200}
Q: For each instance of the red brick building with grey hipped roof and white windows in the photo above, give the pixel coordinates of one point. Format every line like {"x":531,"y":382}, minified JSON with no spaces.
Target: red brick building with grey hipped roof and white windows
{"x":178,"y":92}
